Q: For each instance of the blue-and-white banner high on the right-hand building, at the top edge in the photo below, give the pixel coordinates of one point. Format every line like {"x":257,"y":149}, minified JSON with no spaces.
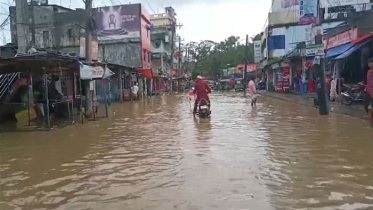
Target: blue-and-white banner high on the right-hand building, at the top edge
{"x":308,"y":12}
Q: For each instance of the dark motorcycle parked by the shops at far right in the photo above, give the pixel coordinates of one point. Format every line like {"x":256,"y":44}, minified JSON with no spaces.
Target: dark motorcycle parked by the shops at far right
{"x":353,"y":93}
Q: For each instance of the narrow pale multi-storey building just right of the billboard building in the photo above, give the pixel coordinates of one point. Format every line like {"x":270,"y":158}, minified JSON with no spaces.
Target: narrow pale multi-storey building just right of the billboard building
{"x":161,"y":37}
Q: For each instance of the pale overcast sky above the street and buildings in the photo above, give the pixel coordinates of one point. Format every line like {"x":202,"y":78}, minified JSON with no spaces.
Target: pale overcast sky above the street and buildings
{"x":202,"y":19}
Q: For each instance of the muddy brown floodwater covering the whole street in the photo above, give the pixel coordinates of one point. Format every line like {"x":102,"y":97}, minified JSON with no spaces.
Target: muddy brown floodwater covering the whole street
{"x":154,"y":155}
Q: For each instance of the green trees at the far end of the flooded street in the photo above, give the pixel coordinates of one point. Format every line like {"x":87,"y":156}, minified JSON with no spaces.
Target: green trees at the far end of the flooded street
{"x":210,"y":58}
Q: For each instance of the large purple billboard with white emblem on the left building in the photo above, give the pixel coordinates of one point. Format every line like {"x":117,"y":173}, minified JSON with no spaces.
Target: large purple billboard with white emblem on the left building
{"x":118,"y":22}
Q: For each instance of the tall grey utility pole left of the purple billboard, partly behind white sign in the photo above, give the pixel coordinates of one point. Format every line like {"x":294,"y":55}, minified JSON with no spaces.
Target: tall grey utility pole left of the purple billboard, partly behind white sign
{"x":88,"y":56}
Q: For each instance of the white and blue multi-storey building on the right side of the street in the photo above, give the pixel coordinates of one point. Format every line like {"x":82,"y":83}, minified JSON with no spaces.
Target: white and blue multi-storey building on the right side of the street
{"x":296,"y":32}
